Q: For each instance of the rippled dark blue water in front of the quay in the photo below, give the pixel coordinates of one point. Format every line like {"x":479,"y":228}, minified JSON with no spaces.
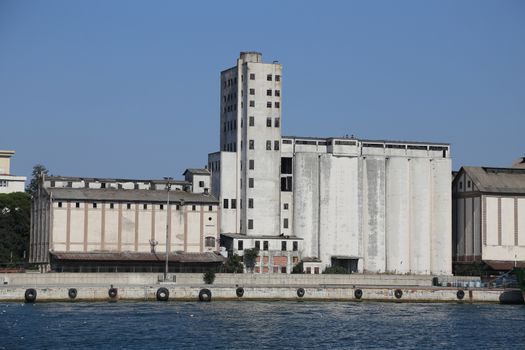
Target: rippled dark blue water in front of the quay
{"x":260,"y":325}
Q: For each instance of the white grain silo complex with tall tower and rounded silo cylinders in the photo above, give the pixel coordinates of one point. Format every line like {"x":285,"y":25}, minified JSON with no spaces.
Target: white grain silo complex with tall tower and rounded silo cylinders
{"x":372,"y":206}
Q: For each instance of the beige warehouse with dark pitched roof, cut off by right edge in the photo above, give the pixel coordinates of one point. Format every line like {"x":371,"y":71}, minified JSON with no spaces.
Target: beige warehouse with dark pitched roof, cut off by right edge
{"x":489,"y":218}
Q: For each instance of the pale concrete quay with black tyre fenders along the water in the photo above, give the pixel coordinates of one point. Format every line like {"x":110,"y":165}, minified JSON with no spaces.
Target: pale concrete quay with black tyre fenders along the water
{"x":55,"y":287}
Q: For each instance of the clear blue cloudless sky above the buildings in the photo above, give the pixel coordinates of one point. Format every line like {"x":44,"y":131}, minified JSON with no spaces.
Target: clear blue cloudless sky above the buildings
{"x":131,"y":88}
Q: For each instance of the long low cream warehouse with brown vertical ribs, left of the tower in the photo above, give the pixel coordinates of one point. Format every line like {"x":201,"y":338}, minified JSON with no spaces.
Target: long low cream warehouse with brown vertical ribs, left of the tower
{"x":121,"y":225}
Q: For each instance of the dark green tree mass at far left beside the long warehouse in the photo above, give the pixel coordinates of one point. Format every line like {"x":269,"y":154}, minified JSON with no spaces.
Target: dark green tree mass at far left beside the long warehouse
{"x":15,"y":209}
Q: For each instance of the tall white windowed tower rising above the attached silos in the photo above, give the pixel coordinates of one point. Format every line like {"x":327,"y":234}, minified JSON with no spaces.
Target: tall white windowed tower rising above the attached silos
{"x":246,"y":170}
